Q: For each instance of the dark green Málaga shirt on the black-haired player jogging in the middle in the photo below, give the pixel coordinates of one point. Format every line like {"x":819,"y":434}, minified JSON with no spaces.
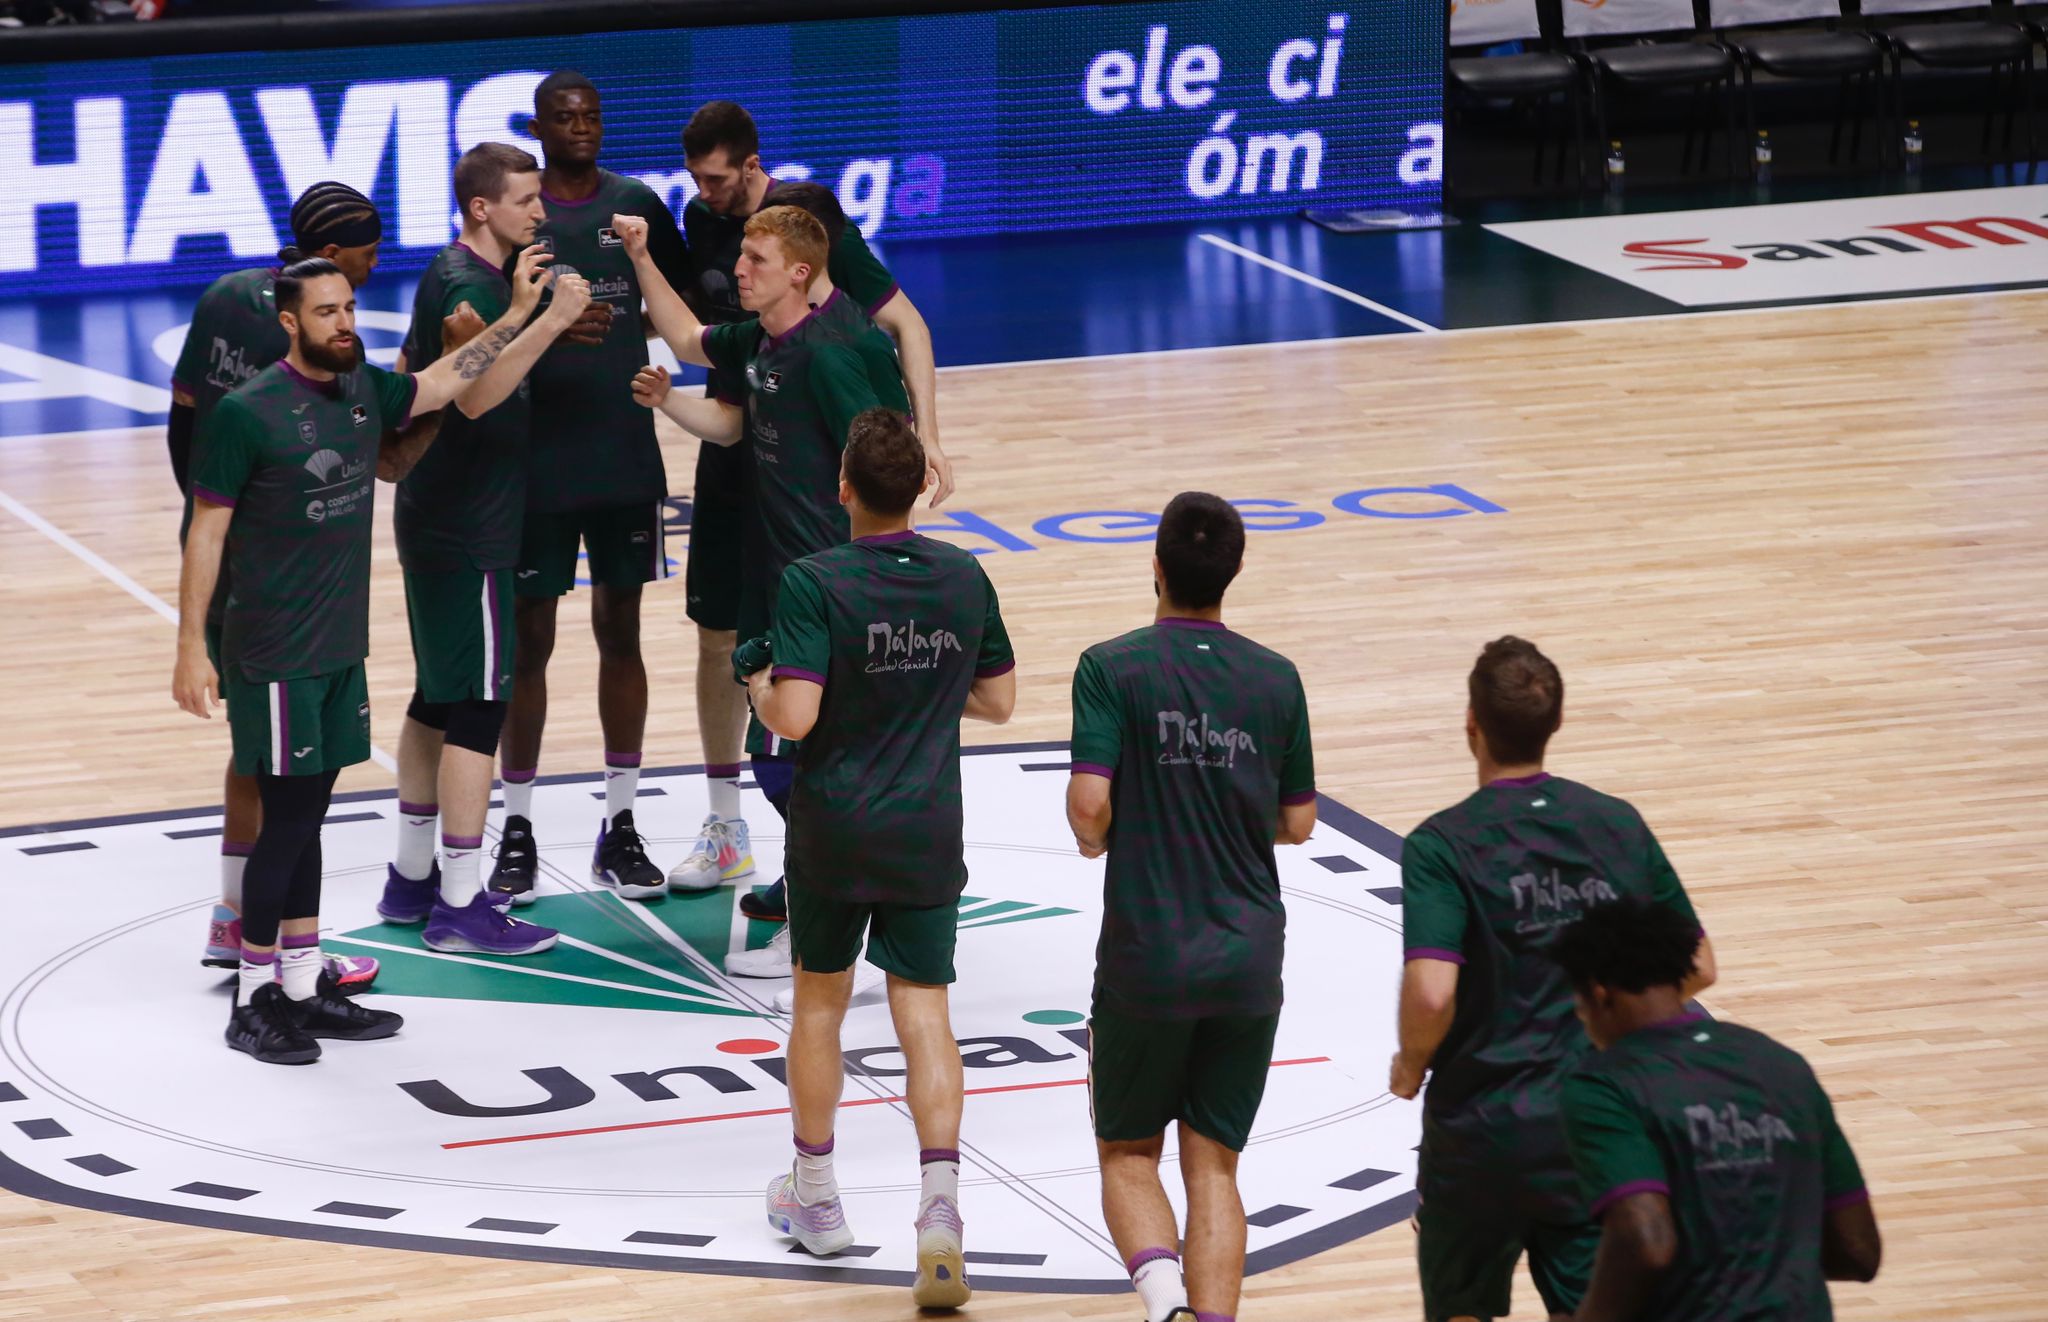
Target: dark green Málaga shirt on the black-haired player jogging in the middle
{"x":1203,"y":736}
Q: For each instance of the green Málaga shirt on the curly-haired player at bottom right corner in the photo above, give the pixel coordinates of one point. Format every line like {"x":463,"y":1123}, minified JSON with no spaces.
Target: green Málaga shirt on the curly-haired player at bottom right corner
{"x":1740,"y":1137}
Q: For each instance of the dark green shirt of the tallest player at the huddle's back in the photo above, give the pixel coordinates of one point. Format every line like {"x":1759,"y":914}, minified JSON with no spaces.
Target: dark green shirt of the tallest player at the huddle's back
{"x":593,"y":447}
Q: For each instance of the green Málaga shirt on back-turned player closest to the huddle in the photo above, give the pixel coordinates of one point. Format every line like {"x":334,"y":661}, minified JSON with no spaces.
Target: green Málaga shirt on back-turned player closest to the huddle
{"x":896,"y":629}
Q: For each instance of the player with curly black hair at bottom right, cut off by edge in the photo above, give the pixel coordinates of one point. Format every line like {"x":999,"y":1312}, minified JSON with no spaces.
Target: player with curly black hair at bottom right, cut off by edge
{"x":1709,"y":1153}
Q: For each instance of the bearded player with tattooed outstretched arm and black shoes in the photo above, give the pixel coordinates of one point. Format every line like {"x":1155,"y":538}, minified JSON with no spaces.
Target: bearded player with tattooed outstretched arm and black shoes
{"x":286,"y":486}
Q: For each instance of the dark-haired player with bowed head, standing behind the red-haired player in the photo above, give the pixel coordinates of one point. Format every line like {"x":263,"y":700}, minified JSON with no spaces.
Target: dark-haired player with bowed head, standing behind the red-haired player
{"x":722,"y":150}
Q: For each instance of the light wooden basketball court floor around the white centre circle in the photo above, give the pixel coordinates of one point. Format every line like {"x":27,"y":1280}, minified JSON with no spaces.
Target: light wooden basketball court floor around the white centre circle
{"x":1795,"y":570}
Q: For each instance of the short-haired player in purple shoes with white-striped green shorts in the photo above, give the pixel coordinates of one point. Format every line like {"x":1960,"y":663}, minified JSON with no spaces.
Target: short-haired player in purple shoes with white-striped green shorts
{"x":458,"y":541}
